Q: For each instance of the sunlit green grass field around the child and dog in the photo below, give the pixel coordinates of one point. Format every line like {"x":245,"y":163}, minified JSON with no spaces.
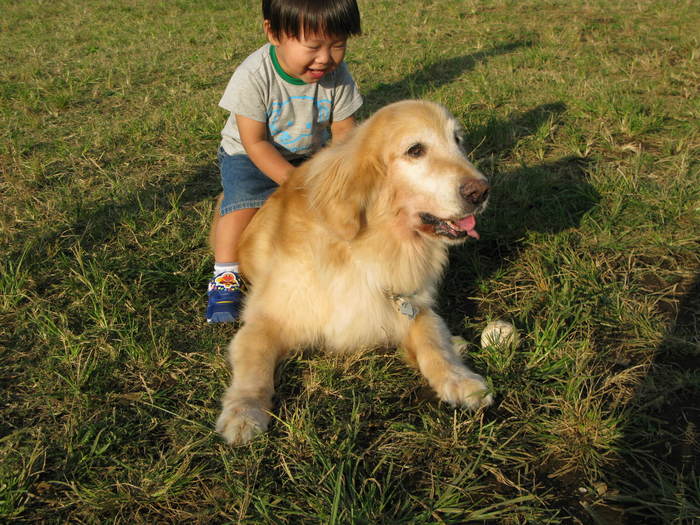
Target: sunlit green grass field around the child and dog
{"x":586,"y":116}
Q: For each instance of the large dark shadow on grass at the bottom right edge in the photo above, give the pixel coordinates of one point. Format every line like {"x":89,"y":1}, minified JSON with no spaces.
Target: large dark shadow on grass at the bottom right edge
{"x":659,"y":480}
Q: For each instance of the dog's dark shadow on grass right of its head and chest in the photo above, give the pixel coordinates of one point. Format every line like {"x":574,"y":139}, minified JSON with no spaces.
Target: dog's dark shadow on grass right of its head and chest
{"x":544,"y":198}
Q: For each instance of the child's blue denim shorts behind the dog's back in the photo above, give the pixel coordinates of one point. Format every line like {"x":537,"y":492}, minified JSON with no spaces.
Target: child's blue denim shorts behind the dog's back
{"x":245,"y":186}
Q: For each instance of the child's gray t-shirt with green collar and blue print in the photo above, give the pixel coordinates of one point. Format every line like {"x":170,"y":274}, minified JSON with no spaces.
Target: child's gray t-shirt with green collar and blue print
{"x":298,"y":115}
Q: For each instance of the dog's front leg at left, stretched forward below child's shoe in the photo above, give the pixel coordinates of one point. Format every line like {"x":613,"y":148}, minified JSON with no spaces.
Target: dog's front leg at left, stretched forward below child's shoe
{"x":253,"y":354}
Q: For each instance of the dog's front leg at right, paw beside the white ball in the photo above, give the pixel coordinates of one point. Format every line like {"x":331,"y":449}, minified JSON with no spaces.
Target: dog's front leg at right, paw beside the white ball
{"x":429,"y":344}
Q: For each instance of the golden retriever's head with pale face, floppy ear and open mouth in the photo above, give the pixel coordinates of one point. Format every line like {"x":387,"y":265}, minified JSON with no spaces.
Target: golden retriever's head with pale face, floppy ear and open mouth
{"x":408,"y":159}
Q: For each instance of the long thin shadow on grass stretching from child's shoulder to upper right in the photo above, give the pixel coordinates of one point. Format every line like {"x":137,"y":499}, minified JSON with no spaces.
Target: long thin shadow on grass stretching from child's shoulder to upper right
{"x":420,"y":83}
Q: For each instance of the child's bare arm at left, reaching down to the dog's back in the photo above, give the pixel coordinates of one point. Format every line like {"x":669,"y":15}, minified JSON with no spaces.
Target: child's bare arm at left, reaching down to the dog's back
{"x":261,"y":151}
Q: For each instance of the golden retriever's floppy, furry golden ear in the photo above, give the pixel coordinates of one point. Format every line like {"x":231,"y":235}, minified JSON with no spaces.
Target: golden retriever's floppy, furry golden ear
{"x":339,"y":182}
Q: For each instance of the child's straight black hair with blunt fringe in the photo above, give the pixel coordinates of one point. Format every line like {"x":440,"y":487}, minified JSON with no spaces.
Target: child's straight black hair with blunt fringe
{"x":295,"y":18}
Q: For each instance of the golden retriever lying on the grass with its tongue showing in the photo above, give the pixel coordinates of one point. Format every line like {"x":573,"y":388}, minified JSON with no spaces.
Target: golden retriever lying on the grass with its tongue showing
{"x":348,"y":253}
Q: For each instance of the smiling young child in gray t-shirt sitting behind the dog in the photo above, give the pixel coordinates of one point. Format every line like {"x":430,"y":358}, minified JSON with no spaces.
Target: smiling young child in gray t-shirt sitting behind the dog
{"x":285,"y":99}
